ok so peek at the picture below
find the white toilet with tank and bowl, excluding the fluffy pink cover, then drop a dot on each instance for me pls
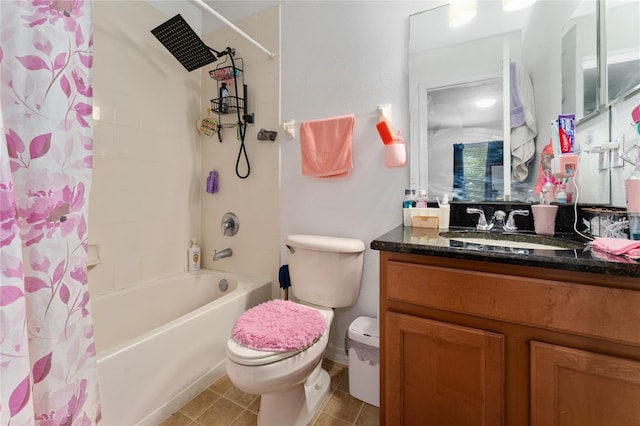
(326, 273)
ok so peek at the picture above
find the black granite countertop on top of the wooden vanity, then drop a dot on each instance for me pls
(429, 242)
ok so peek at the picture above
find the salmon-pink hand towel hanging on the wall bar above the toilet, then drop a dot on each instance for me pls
(325, 146)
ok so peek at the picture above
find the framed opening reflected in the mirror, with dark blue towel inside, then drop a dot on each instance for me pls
(465, 138)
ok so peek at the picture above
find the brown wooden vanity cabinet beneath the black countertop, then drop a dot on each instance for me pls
(479, 343)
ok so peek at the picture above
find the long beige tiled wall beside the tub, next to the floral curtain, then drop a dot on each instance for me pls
(145, 197)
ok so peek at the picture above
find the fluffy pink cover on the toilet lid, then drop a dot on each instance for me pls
(279, 325)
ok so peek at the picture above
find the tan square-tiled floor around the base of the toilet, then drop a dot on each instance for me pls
(221, 404)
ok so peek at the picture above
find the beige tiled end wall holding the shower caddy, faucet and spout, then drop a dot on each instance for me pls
(254, 199)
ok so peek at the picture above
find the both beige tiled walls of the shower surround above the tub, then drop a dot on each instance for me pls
(147, 198)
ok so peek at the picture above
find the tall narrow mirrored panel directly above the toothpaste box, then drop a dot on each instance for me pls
(580, 72)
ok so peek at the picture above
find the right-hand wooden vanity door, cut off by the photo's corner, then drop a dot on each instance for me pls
(573, 387)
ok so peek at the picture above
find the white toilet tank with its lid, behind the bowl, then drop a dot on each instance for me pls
(325, 271)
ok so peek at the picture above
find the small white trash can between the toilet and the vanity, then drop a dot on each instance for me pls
(363, 347)
